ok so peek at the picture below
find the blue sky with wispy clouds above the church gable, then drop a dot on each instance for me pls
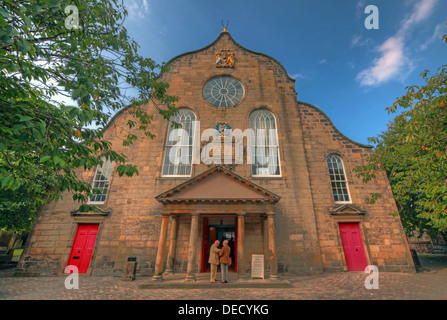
(349, 72)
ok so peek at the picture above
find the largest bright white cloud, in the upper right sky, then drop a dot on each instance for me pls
(393, 61)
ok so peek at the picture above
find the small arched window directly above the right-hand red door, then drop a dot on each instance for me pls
(338, 179)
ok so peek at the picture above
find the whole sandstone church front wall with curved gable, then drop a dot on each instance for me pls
(298, 234)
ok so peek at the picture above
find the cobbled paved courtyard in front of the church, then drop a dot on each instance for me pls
(339, 286)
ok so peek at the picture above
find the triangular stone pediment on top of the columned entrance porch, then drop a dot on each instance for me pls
(218, 185)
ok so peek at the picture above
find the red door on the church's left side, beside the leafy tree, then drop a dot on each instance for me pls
(83, 245)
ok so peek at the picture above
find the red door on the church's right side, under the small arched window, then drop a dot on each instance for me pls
(351, 239)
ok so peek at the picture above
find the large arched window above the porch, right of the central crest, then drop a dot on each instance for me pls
(264, 144)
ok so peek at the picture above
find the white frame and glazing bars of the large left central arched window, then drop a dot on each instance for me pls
(169, 143)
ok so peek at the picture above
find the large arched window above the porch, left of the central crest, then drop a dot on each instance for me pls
(179, 144)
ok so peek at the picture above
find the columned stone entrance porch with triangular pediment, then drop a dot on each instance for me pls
(217, 203)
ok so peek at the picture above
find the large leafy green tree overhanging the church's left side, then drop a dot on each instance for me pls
(78, 50)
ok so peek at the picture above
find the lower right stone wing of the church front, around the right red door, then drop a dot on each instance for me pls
(383, 235)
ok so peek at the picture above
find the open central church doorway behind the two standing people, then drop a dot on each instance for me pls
(219, 229)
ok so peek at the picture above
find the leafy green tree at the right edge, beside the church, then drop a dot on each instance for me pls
(412, 151)
